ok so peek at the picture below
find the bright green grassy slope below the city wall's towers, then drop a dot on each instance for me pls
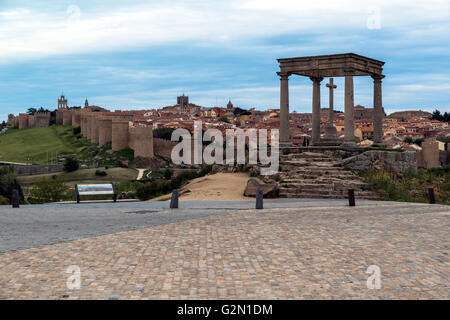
(34, 145)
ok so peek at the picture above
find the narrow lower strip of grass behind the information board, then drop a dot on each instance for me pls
(85, 176)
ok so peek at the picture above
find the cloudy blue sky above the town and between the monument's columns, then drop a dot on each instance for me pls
(143, 54)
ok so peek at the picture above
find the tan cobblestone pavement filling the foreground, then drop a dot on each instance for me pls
(289, 253)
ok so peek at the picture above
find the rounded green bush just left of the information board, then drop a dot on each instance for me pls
(49, 190)
